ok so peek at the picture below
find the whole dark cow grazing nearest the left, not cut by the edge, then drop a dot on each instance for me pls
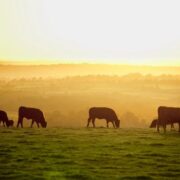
(31, 113)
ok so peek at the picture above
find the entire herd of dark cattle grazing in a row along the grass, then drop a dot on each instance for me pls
(166, 116)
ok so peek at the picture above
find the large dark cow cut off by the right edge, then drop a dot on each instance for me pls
(168, 115)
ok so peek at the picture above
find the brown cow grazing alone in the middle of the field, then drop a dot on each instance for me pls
(103, 113)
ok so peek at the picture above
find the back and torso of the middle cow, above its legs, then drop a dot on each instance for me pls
(102, 112)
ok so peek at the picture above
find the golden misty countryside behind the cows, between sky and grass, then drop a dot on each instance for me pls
(66, 92)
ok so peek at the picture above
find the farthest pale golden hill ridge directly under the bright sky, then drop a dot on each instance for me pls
(63, 70)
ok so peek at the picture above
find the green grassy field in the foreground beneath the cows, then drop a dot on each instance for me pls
(100, 153)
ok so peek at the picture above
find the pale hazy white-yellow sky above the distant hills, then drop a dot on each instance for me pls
(94, 31)
